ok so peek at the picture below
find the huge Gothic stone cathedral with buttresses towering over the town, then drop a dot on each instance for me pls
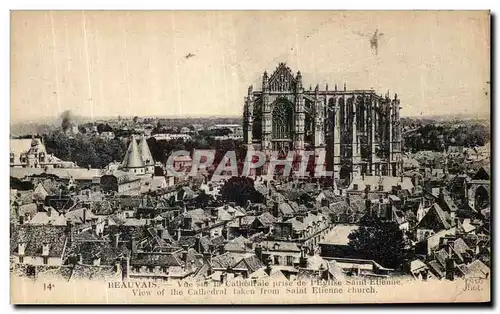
(359, 129)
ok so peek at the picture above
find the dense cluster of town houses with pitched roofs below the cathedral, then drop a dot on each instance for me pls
(131, 222)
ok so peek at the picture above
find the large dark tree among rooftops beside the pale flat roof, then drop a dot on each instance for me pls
(379, 240)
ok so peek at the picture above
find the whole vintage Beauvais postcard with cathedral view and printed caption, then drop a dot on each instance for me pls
(250, 157)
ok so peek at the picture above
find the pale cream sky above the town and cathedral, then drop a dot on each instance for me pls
(128, 63)
